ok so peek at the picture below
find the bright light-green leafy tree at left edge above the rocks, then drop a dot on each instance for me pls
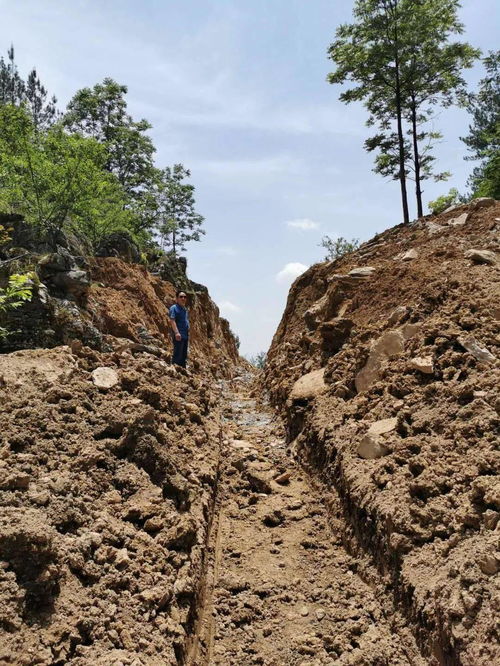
(55, 179)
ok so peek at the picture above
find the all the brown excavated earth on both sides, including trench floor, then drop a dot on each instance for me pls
(154, 516)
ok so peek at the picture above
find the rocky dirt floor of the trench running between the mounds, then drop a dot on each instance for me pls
(280, 588)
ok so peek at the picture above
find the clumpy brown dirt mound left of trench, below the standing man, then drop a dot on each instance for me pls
(106, 497)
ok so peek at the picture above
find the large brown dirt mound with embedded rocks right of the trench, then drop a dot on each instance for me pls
(403, 420)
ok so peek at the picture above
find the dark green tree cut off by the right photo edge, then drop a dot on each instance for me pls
(483, 140)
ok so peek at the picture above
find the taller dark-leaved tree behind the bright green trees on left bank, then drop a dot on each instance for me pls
(101, 113)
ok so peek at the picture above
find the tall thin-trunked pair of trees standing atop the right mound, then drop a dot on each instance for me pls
(398, 55)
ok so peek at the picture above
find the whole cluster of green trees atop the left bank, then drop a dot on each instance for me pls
(90, 169)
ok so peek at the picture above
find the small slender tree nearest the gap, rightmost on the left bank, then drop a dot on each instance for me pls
(178, 222)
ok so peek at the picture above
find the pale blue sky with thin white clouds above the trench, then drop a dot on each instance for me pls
(236, 91)
